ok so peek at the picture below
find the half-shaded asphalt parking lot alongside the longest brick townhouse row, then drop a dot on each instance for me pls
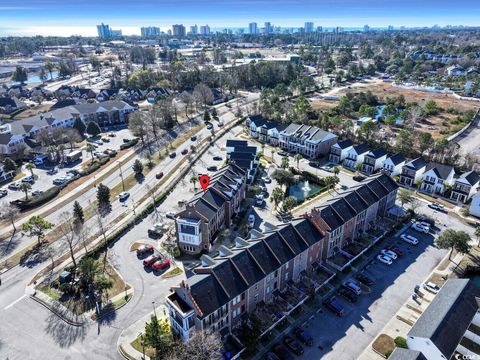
(345, 337)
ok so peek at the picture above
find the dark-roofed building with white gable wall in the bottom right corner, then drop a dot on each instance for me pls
(448, 328)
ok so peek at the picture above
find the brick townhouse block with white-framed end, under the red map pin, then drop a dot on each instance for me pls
(211, 211)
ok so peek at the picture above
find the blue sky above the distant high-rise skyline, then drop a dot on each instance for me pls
(66, 17)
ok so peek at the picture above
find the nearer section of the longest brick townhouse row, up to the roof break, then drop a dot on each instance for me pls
(226, 288)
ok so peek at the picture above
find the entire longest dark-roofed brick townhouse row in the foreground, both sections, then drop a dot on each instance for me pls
(224, 290)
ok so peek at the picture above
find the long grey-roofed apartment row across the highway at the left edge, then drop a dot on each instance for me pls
(13, 135)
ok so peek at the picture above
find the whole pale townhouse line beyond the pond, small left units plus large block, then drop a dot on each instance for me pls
(309, 141)
